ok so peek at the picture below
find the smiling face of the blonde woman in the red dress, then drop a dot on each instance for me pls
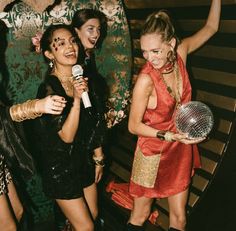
(155, 50)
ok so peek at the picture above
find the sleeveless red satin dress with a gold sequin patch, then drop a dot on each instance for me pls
(176, 162)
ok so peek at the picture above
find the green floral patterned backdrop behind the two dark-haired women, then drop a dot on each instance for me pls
(26, 68)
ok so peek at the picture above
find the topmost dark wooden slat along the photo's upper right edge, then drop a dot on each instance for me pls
(134, 4)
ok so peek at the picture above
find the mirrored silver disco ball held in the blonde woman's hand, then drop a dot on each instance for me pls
(194, 119)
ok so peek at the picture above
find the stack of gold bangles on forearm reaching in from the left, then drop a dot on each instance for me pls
(20, 112)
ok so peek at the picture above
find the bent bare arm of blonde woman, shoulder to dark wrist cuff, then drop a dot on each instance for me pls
(140, 102)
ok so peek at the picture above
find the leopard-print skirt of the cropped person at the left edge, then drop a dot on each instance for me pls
(5, 176)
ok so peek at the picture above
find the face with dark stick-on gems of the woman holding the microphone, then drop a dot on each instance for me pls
(64, 49)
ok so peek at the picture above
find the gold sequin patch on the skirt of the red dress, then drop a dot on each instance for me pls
(145, 169)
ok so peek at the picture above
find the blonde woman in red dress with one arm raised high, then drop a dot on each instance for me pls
(164, 159)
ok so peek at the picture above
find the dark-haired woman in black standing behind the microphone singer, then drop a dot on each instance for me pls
(91, 27)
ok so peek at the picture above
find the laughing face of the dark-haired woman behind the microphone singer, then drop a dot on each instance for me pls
(89, 33)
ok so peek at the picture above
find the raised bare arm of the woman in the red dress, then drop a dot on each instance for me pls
(211, 26)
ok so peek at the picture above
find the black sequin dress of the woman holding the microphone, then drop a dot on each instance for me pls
(67, 167)
